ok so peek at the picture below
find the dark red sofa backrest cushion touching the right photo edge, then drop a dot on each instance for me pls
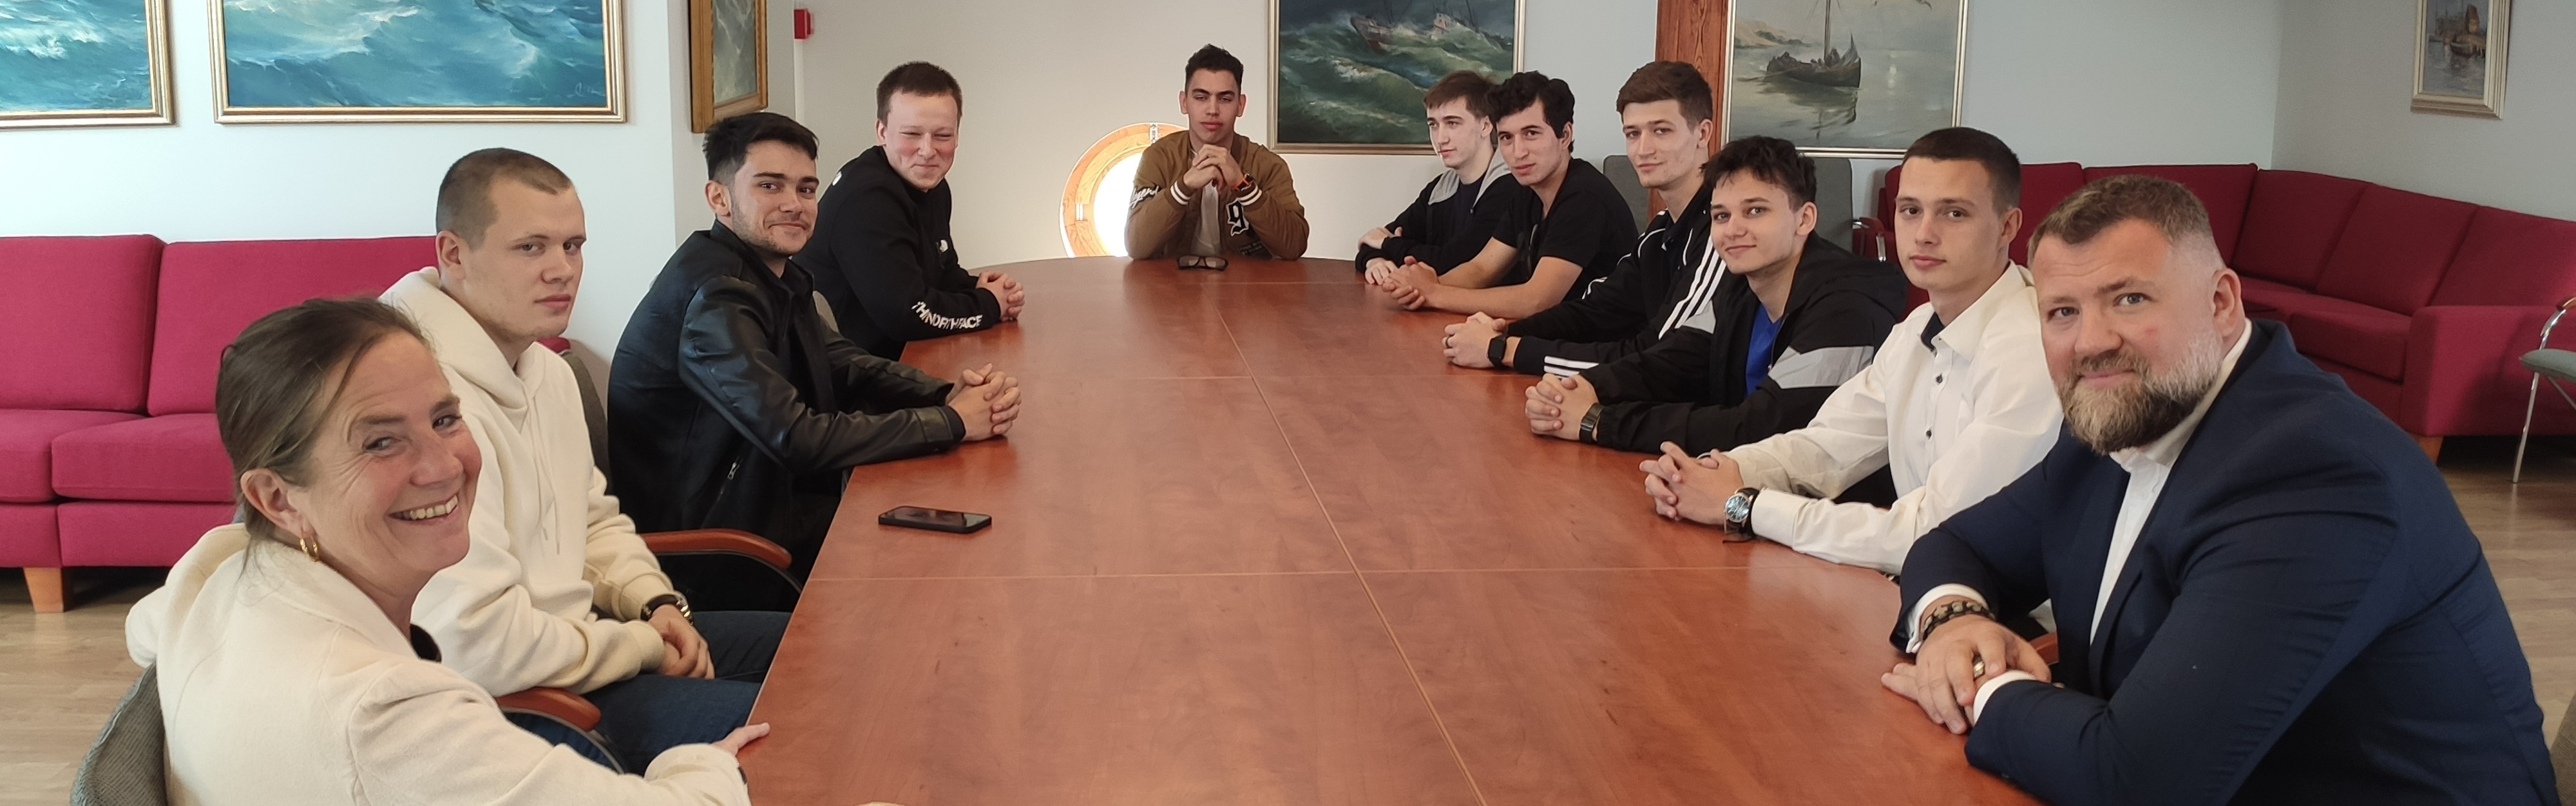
(2513, 259)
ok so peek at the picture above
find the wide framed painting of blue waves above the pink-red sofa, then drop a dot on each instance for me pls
(419, 61)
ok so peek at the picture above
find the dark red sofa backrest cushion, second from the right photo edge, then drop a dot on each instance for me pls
(2394, 248)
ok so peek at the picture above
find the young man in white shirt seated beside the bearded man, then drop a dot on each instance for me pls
(1956, 406)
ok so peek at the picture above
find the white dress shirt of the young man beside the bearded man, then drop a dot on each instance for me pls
(1954, 418)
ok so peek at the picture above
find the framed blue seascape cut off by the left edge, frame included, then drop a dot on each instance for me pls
(84, 63)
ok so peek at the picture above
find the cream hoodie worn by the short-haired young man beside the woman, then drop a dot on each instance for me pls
(550, 550)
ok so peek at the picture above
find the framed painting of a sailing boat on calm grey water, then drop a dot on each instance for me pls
(1846, 79)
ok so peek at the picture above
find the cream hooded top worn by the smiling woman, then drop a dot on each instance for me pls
(282, 684)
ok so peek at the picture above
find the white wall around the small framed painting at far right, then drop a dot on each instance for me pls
(2348, 71)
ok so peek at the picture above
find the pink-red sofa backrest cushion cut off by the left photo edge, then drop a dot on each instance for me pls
(76, 315)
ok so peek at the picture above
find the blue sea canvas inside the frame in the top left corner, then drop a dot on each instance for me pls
(76, 55)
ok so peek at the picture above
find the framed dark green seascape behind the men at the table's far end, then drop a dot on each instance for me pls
(1351, 73)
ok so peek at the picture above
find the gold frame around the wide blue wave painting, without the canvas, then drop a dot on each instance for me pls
(609, 112)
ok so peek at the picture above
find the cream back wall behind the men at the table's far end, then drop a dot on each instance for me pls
(1045, 81)
